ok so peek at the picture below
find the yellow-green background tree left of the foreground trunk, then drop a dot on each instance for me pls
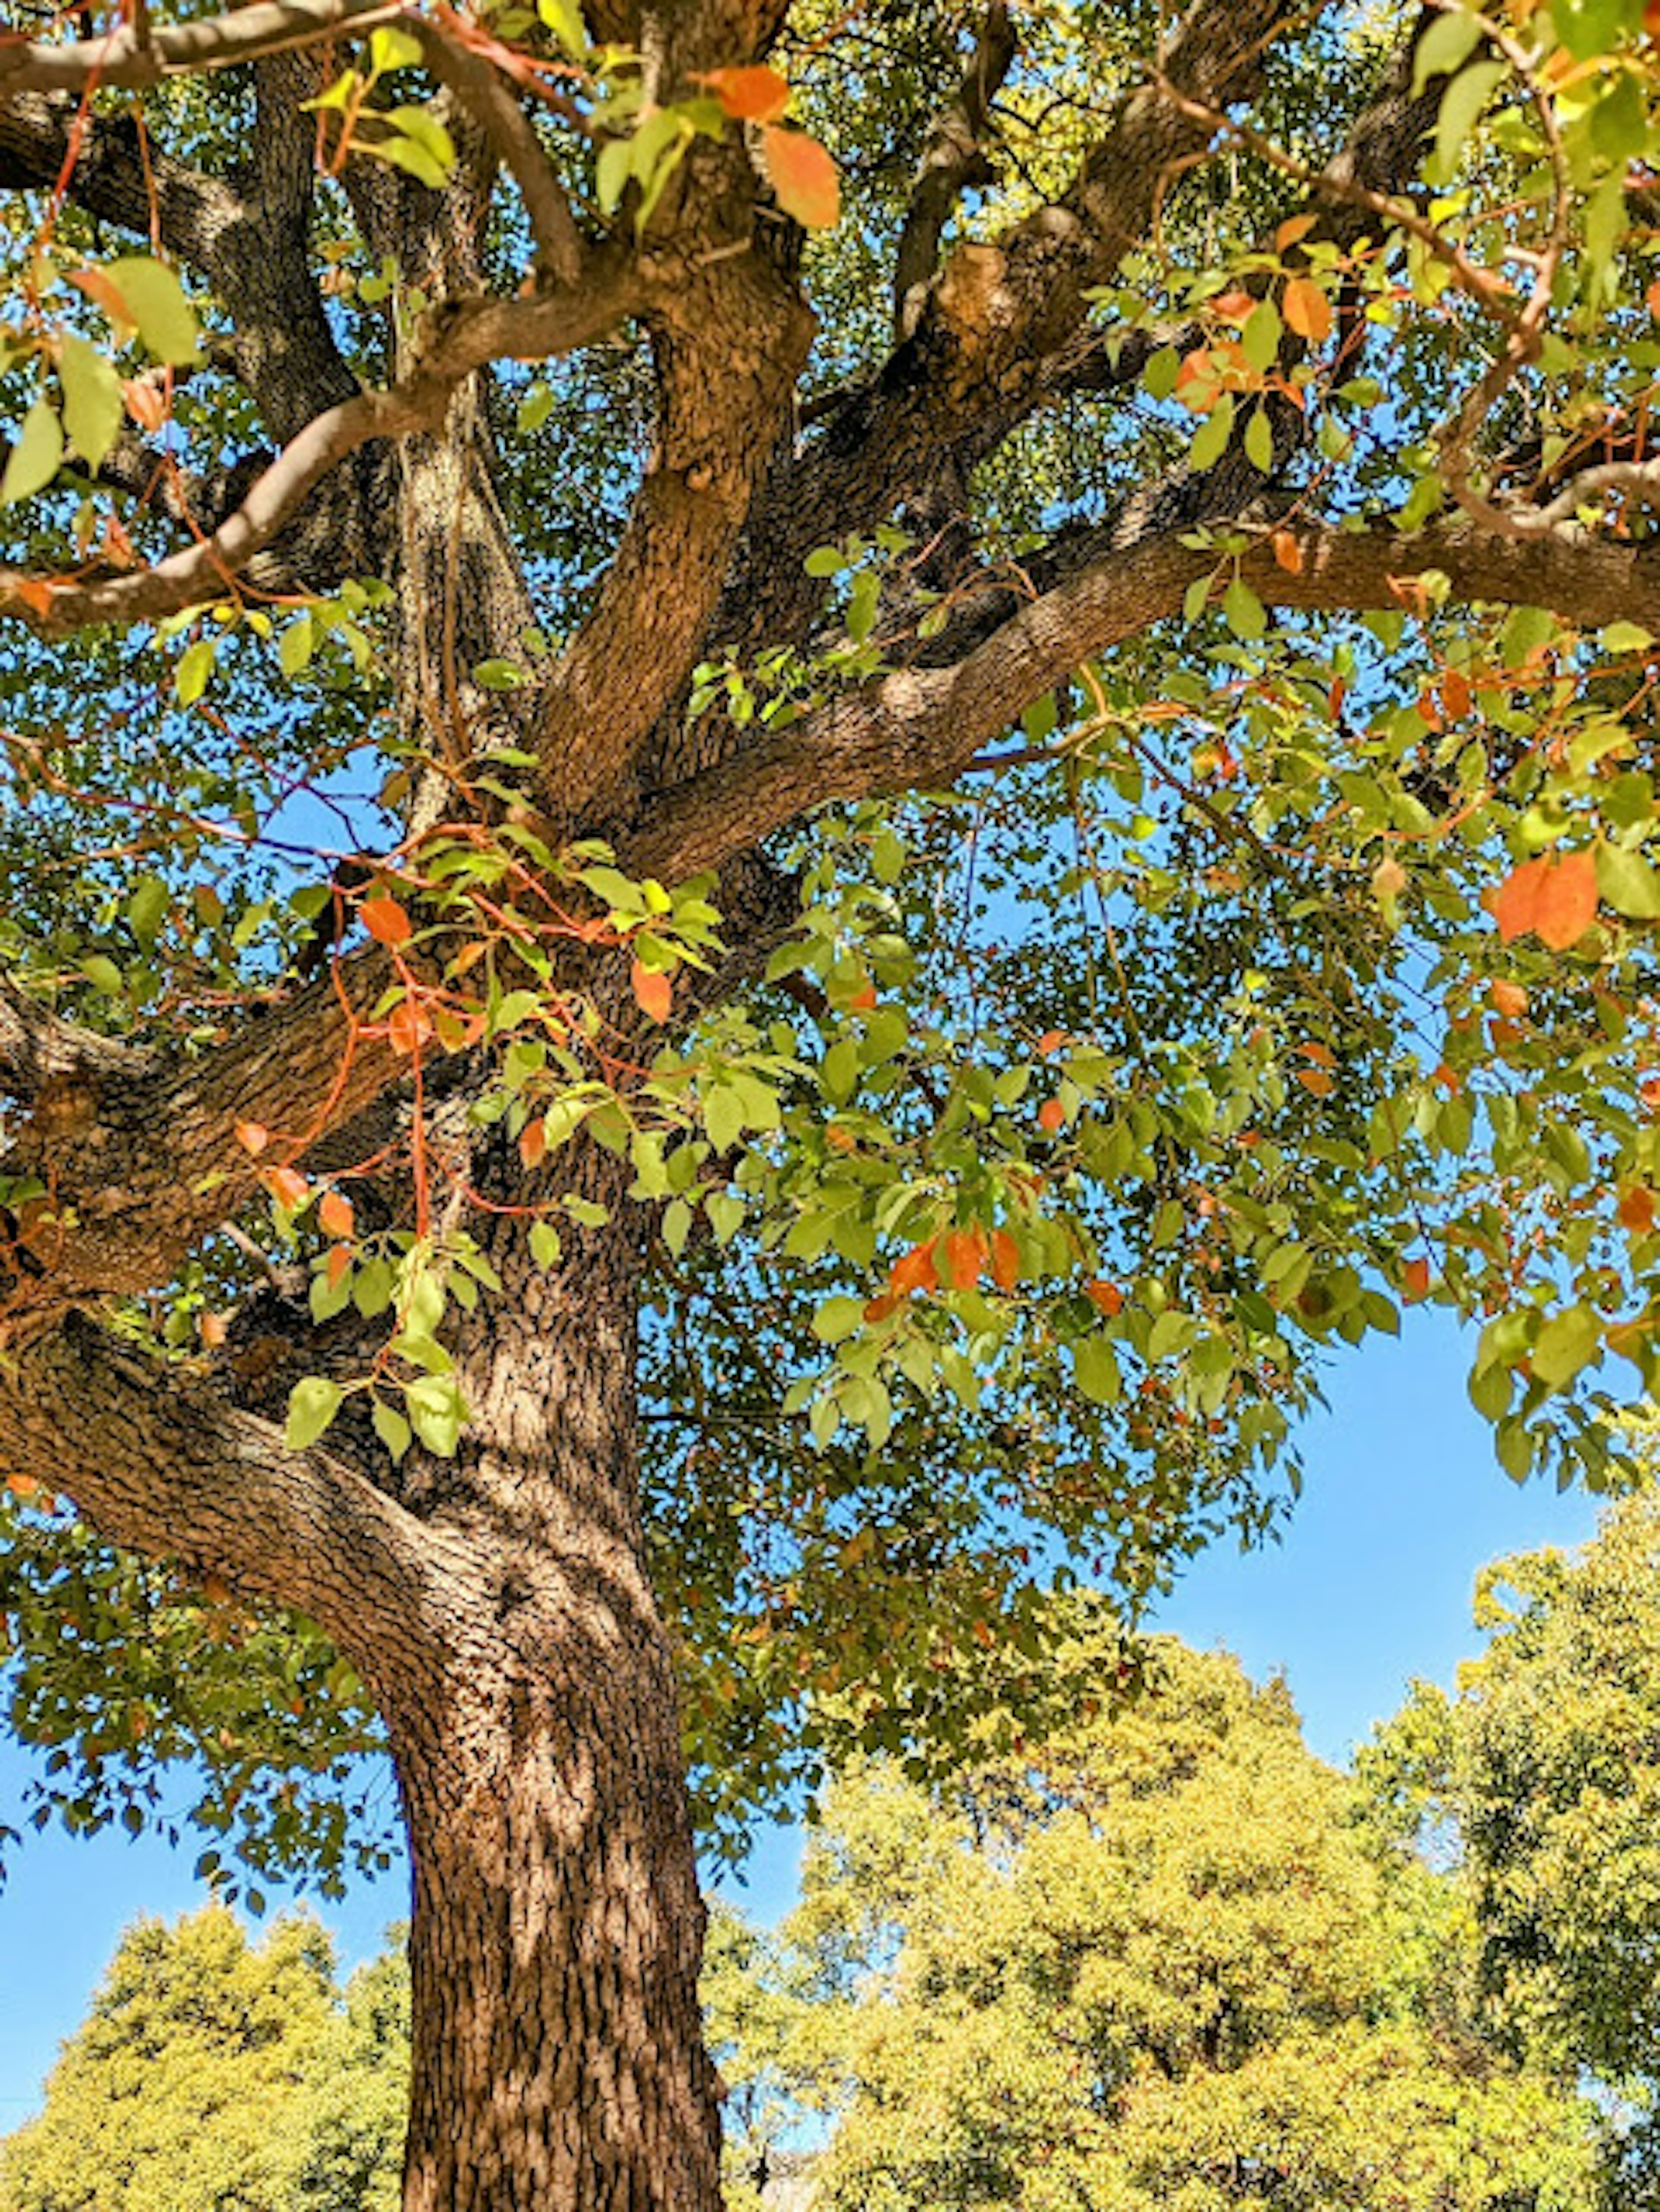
(220, 2078)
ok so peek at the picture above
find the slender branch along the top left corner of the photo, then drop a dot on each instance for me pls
(143, 54)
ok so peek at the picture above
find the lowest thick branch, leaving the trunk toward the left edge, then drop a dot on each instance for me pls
(165, 1468)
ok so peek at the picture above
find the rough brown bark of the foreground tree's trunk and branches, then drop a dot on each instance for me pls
(499, 1605)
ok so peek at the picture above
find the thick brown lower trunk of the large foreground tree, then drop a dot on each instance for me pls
(559, 2056)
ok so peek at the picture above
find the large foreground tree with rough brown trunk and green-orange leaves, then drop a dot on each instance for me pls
(528, 924)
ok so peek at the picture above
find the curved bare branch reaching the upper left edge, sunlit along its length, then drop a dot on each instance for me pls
(464, 337)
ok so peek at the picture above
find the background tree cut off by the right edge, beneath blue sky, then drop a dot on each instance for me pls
(1542, 1771)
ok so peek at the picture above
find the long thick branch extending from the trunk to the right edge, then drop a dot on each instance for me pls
(922, 729)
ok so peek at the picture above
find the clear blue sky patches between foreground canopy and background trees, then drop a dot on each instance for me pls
(1369, 1589)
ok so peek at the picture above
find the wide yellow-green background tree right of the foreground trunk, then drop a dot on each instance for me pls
(1156, 1965)
